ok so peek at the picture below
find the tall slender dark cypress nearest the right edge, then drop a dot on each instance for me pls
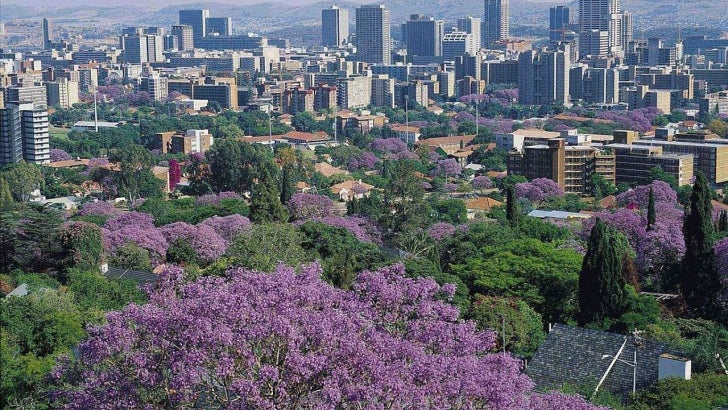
(699, 278)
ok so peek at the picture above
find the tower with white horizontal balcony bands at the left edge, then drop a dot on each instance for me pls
(24, 134)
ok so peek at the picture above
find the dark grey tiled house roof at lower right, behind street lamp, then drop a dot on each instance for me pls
(573, 355)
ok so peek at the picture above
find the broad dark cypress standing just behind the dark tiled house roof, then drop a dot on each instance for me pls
(601, 281)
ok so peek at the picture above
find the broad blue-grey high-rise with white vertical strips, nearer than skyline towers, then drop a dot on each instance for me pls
(543, 76)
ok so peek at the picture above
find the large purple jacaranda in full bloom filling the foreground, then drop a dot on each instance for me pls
(289, 340)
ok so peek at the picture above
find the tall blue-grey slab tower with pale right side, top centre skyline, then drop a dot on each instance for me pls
(373, 37)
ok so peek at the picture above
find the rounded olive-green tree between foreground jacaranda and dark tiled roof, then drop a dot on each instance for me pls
(519, 327)
